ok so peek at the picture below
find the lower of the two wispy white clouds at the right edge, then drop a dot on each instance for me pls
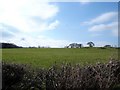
(102, 27)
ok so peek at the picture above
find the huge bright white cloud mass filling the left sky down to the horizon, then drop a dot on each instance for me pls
(28, 17)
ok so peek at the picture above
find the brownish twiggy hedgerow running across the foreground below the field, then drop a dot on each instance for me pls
(63, 77)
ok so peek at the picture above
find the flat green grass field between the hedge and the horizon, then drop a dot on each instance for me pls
(45, 57)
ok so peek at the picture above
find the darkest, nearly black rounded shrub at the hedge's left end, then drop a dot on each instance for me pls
(11, 75)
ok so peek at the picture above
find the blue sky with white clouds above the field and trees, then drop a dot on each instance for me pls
(57, 24)
